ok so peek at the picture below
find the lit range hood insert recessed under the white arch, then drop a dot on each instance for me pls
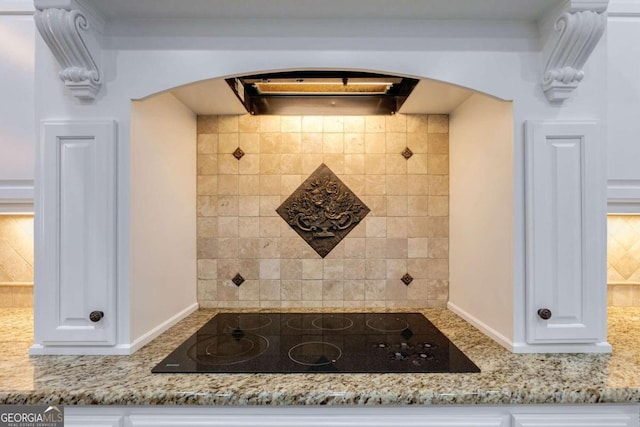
(322, 92)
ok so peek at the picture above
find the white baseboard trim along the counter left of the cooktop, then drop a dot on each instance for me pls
(117, 350)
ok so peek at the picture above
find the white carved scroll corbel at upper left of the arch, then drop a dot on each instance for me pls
(63, 28)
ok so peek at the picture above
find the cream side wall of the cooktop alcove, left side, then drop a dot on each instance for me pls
(163, 212)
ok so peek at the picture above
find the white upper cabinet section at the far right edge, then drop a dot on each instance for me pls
(623, 104)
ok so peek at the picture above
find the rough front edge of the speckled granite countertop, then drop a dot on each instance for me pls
(283, 398)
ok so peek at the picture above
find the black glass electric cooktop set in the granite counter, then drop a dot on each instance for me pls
(316, 342)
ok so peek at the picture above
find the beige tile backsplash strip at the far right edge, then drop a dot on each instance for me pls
(623, 260)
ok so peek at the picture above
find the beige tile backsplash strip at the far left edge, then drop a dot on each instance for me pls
(16, 261)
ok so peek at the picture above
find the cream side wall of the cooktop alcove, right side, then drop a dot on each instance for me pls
(482, 215)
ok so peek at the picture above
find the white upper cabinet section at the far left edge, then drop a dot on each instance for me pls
(17, 116)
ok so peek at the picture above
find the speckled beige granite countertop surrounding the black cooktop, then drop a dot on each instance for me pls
(506, 378)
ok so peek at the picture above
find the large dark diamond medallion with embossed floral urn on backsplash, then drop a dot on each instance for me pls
(323, 210)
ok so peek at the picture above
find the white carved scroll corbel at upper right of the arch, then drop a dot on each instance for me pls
(572, 33)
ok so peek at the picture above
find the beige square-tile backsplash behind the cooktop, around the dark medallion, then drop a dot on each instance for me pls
(407, 229)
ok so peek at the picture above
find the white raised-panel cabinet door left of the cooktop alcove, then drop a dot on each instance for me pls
(75, 234)
